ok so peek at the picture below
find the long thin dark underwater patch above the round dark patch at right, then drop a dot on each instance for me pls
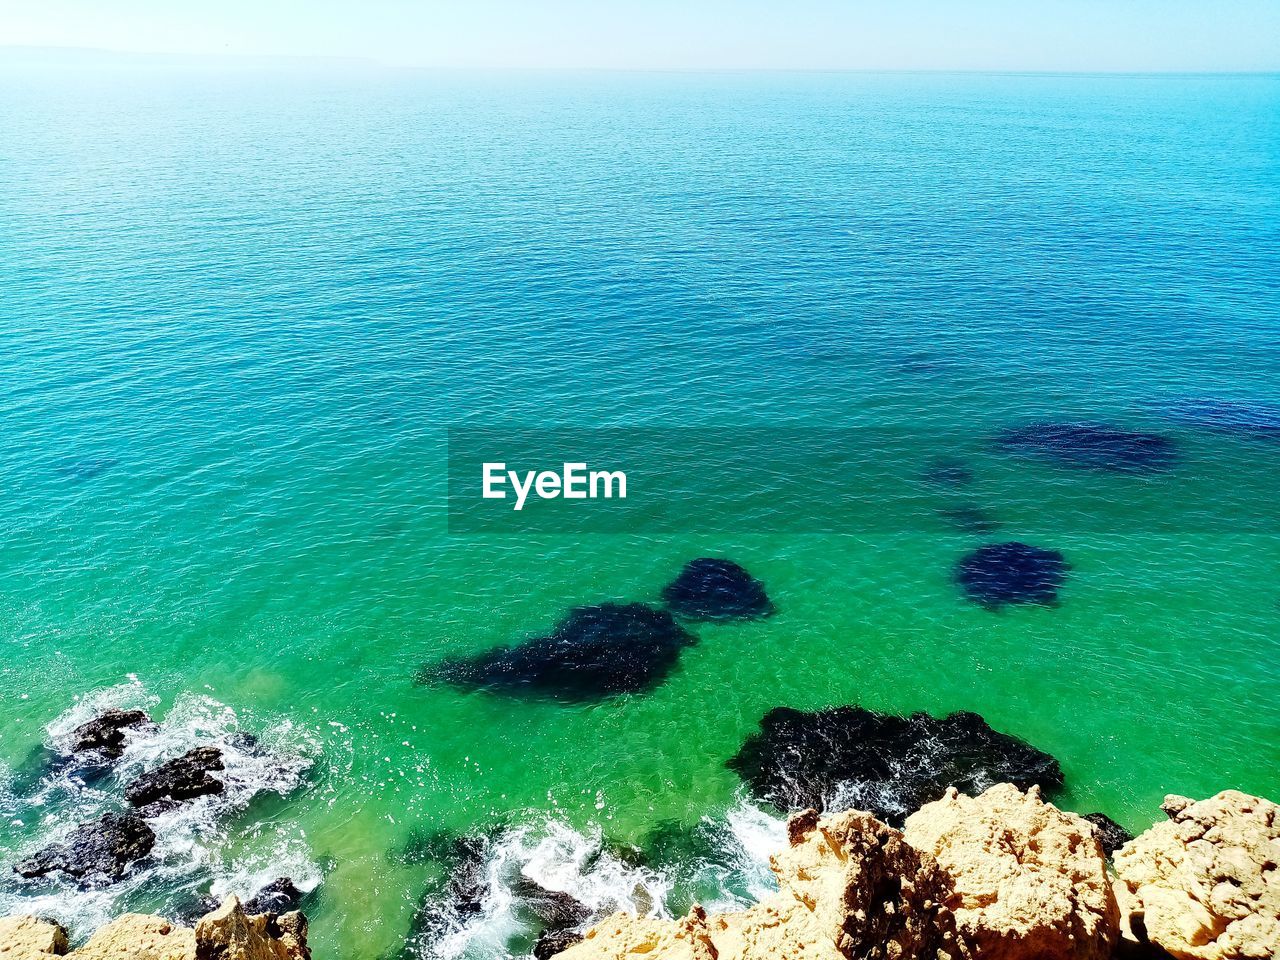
(1095, 446)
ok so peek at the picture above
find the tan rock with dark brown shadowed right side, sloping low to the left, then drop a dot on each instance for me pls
(849, 888)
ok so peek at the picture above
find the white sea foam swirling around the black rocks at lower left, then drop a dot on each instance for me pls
(199, 845)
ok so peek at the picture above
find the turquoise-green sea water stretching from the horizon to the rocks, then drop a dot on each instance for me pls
(239, 313)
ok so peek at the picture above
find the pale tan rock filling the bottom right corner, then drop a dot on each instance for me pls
(1205, 884)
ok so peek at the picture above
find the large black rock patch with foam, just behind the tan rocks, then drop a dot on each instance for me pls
(883, 764)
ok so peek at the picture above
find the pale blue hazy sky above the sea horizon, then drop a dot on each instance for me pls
(1039, 35)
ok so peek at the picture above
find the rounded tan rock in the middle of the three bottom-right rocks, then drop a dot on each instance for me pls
(1031, 881)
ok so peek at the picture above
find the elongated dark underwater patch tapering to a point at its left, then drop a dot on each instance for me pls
(596, 652)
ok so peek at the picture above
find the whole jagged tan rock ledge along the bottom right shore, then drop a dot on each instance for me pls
(1004, 876)
